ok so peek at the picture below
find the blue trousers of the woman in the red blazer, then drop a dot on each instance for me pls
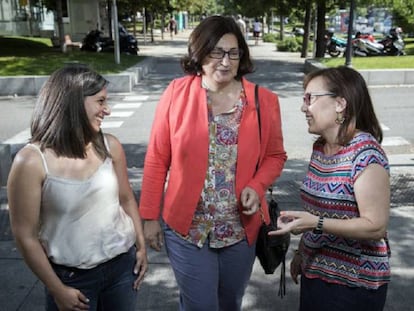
(209, 279)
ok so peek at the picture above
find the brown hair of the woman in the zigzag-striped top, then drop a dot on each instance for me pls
(359, 113)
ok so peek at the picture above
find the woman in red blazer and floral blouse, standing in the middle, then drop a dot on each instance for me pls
(205, 138)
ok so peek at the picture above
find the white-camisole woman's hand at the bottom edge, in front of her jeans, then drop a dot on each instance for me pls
(70, 299)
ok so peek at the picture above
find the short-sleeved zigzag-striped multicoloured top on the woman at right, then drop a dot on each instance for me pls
(328, 191)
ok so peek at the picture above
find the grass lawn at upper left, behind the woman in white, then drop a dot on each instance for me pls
(36, 56)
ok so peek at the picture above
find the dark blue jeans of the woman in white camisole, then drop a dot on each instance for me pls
(109, 286)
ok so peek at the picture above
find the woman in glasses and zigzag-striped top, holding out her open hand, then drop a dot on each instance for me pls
(343, 254)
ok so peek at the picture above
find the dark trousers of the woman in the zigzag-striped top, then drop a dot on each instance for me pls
(316, 294)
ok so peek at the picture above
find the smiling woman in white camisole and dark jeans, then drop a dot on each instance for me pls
(72, 211)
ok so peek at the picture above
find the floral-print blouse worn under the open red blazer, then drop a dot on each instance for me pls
(217, 217)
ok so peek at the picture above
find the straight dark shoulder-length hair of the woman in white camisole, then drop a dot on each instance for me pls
(59, 119)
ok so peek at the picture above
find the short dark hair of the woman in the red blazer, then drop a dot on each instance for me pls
(204, 38)
